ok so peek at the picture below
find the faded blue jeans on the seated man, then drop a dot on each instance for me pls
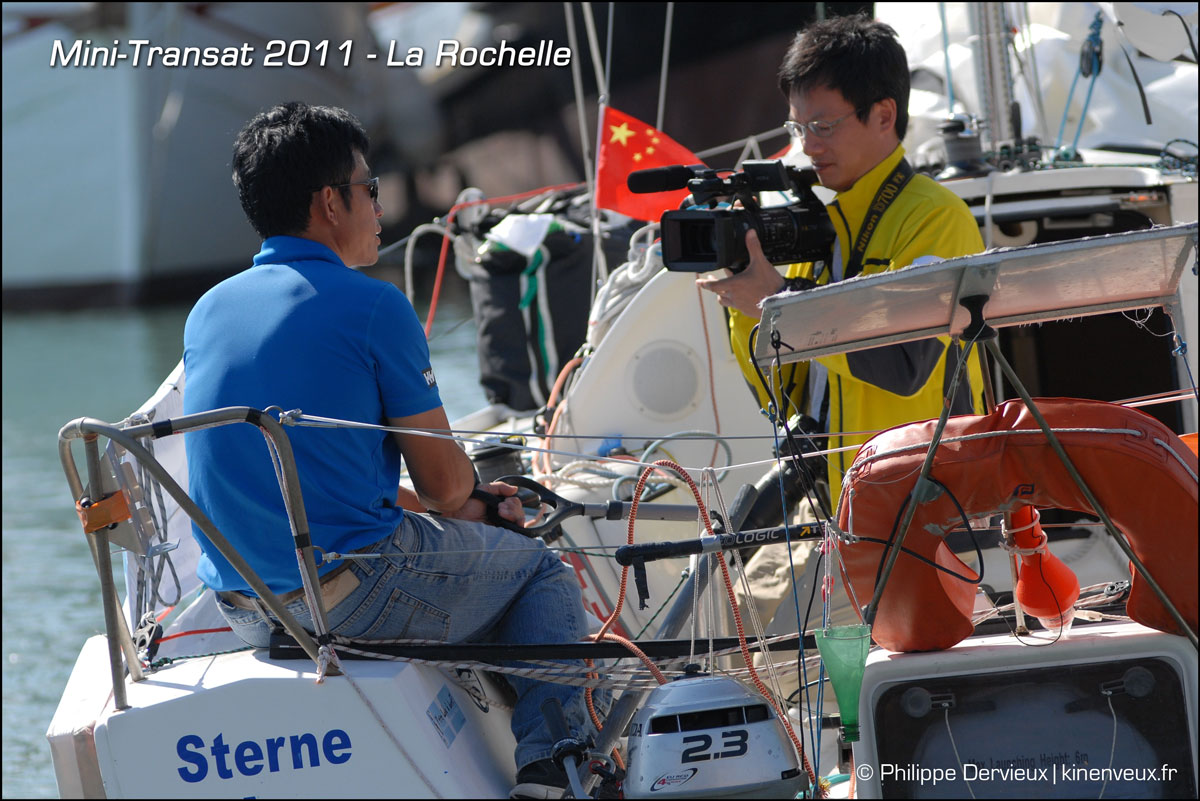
(459, 582)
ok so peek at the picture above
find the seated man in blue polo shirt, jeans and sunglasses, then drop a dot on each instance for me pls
(303, 330)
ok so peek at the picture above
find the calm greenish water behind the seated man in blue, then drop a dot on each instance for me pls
(58, 368)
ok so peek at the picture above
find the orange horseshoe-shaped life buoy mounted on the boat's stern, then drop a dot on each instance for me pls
(1141, 472)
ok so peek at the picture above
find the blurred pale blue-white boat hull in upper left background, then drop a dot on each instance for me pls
(141, 155)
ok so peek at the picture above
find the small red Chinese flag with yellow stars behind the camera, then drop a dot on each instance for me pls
(627, 146)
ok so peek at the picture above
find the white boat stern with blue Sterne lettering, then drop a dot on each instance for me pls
(242, 726)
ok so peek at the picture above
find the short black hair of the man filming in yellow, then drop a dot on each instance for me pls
(857, 56)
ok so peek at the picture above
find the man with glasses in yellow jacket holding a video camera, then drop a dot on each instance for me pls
(847, 82)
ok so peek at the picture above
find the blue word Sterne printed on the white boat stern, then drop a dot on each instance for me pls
(249, 755)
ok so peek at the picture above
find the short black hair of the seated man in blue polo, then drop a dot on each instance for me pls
(286, 154)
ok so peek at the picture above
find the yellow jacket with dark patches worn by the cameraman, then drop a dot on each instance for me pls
(872, 390)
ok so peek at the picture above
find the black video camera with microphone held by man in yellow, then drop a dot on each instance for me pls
(700, 240)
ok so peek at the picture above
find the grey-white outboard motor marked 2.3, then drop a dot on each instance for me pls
(710, 738)
